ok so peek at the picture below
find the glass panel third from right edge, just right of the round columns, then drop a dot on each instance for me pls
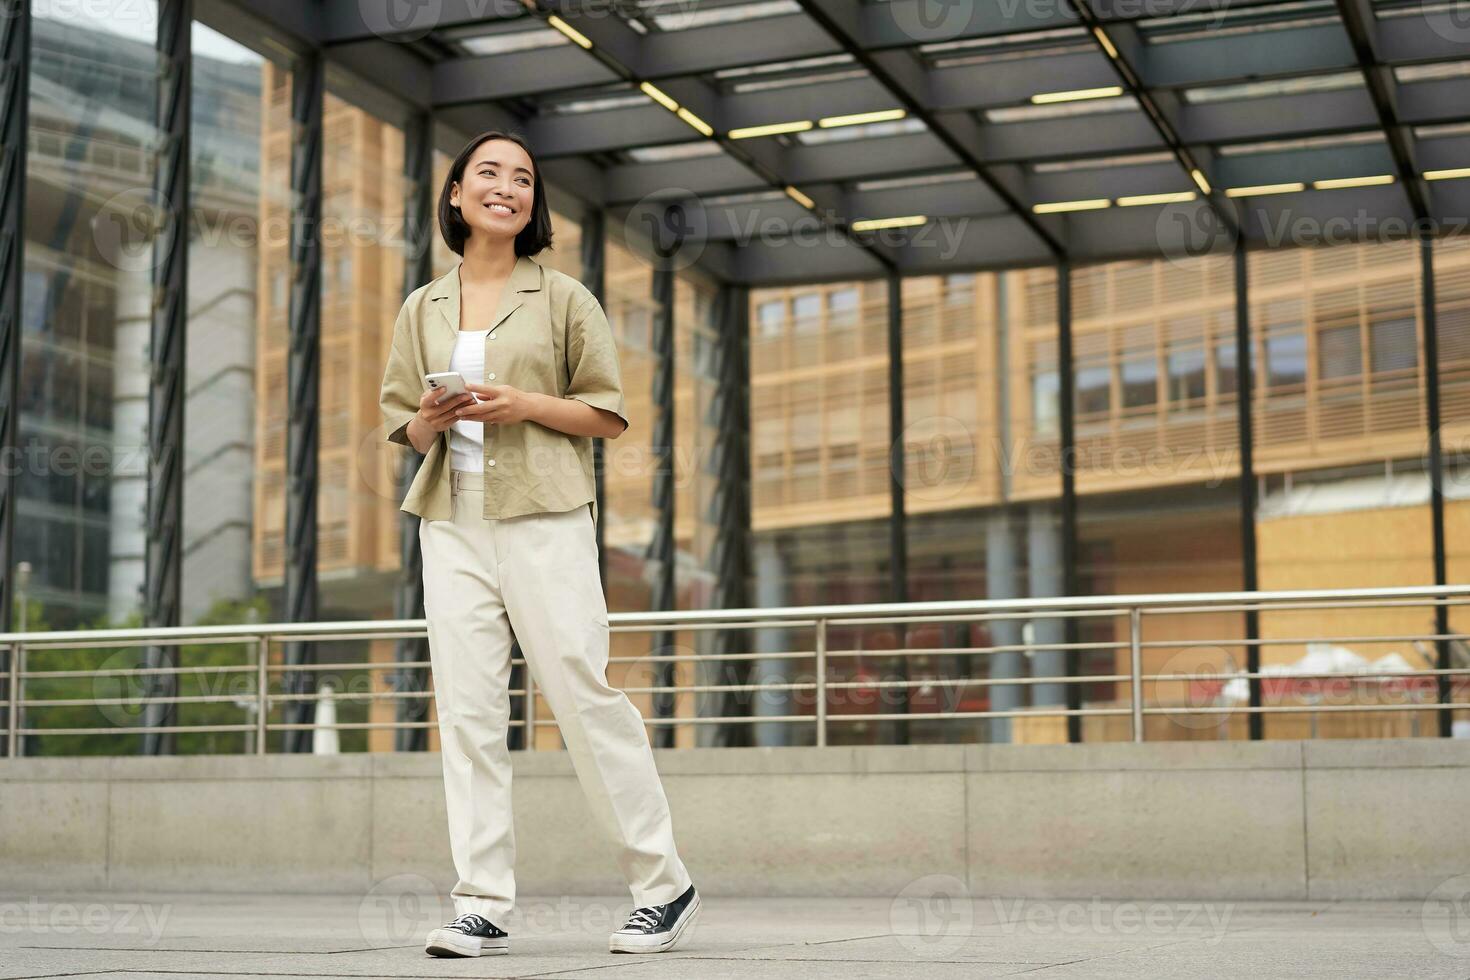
(1158, 491)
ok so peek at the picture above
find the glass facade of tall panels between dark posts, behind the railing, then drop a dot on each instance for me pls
(1337, 412)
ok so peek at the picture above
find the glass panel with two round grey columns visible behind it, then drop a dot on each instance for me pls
(981, 412)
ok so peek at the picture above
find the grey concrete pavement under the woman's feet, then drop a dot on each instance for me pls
(930, 931)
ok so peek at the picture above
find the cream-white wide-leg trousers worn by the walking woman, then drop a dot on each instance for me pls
(533, 578)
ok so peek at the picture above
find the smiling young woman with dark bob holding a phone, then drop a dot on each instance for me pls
(506, 508)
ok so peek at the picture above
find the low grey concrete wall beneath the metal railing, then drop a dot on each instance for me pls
(1188, 821)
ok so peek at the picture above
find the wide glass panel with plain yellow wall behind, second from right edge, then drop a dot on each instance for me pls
(1344, 499)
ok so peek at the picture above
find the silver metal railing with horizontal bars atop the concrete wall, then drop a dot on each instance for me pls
(824, 622)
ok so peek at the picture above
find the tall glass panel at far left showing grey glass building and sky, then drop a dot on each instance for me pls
(89, 302)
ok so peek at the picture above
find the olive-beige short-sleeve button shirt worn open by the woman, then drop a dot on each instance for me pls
(549, 336)
